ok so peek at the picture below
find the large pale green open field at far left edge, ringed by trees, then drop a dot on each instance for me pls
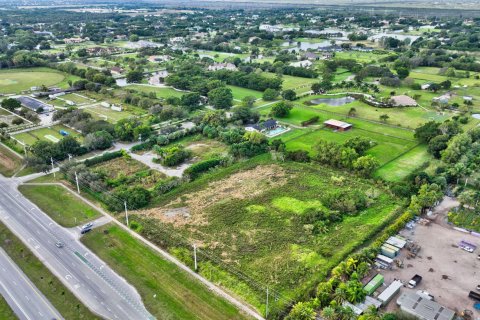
(16, 80)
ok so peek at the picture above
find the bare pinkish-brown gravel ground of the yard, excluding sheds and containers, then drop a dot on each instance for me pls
(439, 257)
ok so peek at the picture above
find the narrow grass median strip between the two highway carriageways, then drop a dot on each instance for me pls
(60, 297)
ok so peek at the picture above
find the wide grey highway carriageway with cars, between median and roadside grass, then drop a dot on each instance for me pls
(94, 283)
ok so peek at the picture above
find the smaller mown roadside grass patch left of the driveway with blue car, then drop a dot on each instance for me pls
(60, 204)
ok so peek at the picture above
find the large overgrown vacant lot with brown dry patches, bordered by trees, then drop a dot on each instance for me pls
(250, 218)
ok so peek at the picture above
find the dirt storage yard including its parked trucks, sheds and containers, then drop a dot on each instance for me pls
(436, 252)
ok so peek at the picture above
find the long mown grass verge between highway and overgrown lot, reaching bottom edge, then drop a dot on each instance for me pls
(167, 292)
